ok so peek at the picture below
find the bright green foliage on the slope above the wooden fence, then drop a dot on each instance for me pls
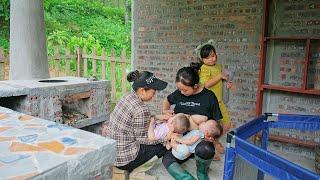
(77, 23)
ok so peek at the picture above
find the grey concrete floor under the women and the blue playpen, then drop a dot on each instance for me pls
(216, 167)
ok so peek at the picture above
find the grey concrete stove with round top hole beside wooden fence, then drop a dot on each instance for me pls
(68, 100)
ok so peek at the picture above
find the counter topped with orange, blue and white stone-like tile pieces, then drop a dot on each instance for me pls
(33, 147)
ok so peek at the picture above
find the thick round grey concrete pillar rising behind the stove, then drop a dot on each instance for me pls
(28, 51)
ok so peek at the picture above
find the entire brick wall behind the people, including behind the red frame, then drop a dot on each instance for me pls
(165, 34)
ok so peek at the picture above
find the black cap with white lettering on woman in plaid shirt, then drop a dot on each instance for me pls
(149, 81)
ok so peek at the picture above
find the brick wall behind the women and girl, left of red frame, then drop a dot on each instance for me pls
(165, 34)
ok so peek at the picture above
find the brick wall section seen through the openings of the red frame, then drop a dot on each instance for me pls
(286, 57)
